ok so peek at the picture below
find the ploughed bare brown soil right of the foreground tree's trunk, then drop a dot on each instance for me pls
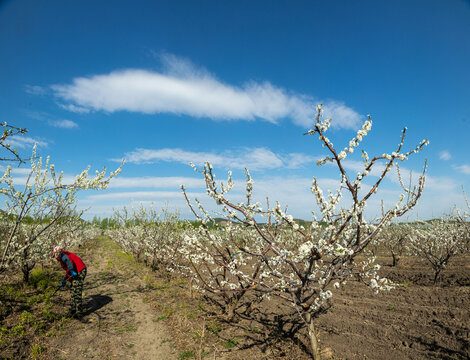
(418, 320)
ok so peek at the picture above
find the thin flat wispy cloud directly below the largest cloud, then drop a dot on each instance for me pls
(250, 158)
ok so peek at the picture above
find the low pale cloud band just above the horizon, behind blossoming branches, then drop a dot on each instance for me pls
(293, 191)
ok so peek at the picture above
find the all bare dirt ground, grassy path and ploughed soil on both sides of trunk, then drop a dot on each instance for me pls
(132, 313)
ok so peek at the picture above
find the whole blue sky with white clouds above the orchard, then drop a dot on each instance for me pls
(163, 83)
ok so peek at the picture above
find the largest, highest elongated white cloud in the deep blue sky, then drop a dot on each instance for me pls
(181, 88)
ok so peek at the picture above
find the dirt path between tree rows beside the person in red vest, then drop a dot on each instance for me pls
(118, 323)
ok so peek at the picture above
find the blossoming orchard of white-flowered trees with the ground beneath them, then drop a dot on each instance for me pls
(251, 283)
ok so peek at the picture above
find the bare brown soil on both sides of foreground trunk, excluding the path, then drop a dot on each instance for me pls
(417, 320)
